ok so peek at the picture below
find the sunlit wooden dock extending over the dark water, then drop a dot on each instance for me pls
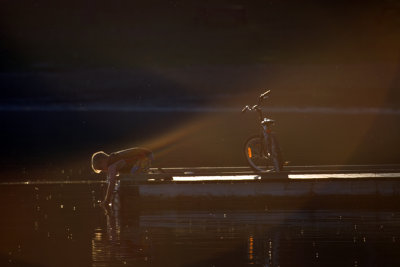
(294, 182)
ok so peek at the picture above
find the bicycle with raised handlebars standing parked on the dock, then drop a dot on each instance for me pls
(262, 150)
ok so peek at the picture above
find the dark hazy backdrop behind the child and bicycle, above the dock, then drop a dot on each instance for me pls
(77, 77)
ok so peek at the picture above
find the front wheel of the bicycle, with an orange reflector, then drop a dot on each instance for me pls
(255, 154)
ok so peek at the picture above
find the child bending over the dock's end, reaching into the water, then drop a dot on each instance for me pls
(133, 160)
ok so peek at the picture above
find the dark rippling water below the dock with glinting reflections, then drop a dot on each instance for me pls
(61, 225)
